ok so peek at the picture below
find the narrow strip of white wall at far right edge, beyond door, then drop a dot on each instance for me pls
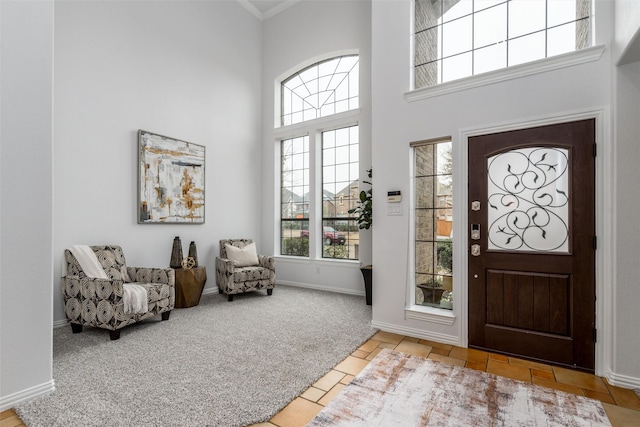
(626, 363)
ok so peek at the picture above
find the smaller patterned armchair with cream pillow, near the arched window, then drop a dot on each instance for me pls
(235, 278)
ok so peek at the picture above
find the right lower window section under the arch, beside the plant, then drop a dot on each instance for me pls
(340, 190)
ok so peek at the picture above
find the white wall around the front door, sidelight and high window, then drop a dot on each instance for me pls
(397, 122)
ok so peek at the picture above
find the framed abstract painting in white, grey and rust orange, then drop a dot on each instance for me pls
(170, 180)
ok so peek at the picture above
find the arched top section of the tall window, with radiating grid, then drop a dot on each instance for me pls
(324, 88)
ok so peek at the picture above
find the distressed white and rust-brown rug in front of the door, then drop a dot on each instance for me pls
(398, 389)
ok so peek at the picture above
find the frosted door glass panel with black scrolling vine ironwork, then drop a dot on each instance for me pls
(528, 200)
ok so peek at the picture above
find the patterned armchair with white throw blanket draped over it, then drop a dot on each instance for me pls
(99, 302)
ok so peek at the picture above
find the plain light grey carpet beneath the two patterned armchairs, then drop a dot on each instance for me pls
(217, 364)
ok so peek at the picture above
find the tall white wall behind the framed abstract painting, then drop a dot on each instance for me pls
(186, 69)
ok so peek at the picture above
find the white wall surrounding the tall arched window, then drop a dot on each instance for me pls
(305, 31)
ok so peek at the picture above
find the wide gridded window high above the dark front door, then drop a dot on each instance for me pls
(460, 38)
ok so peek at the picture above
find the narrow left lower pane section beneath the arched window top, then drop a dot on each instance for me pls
(294, 196)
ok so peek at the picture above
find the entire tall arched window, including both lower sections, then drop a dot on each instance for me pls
(319, 171)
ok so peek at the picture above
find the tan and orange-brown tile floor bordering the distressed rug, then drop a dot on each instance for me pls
(622, 405)
